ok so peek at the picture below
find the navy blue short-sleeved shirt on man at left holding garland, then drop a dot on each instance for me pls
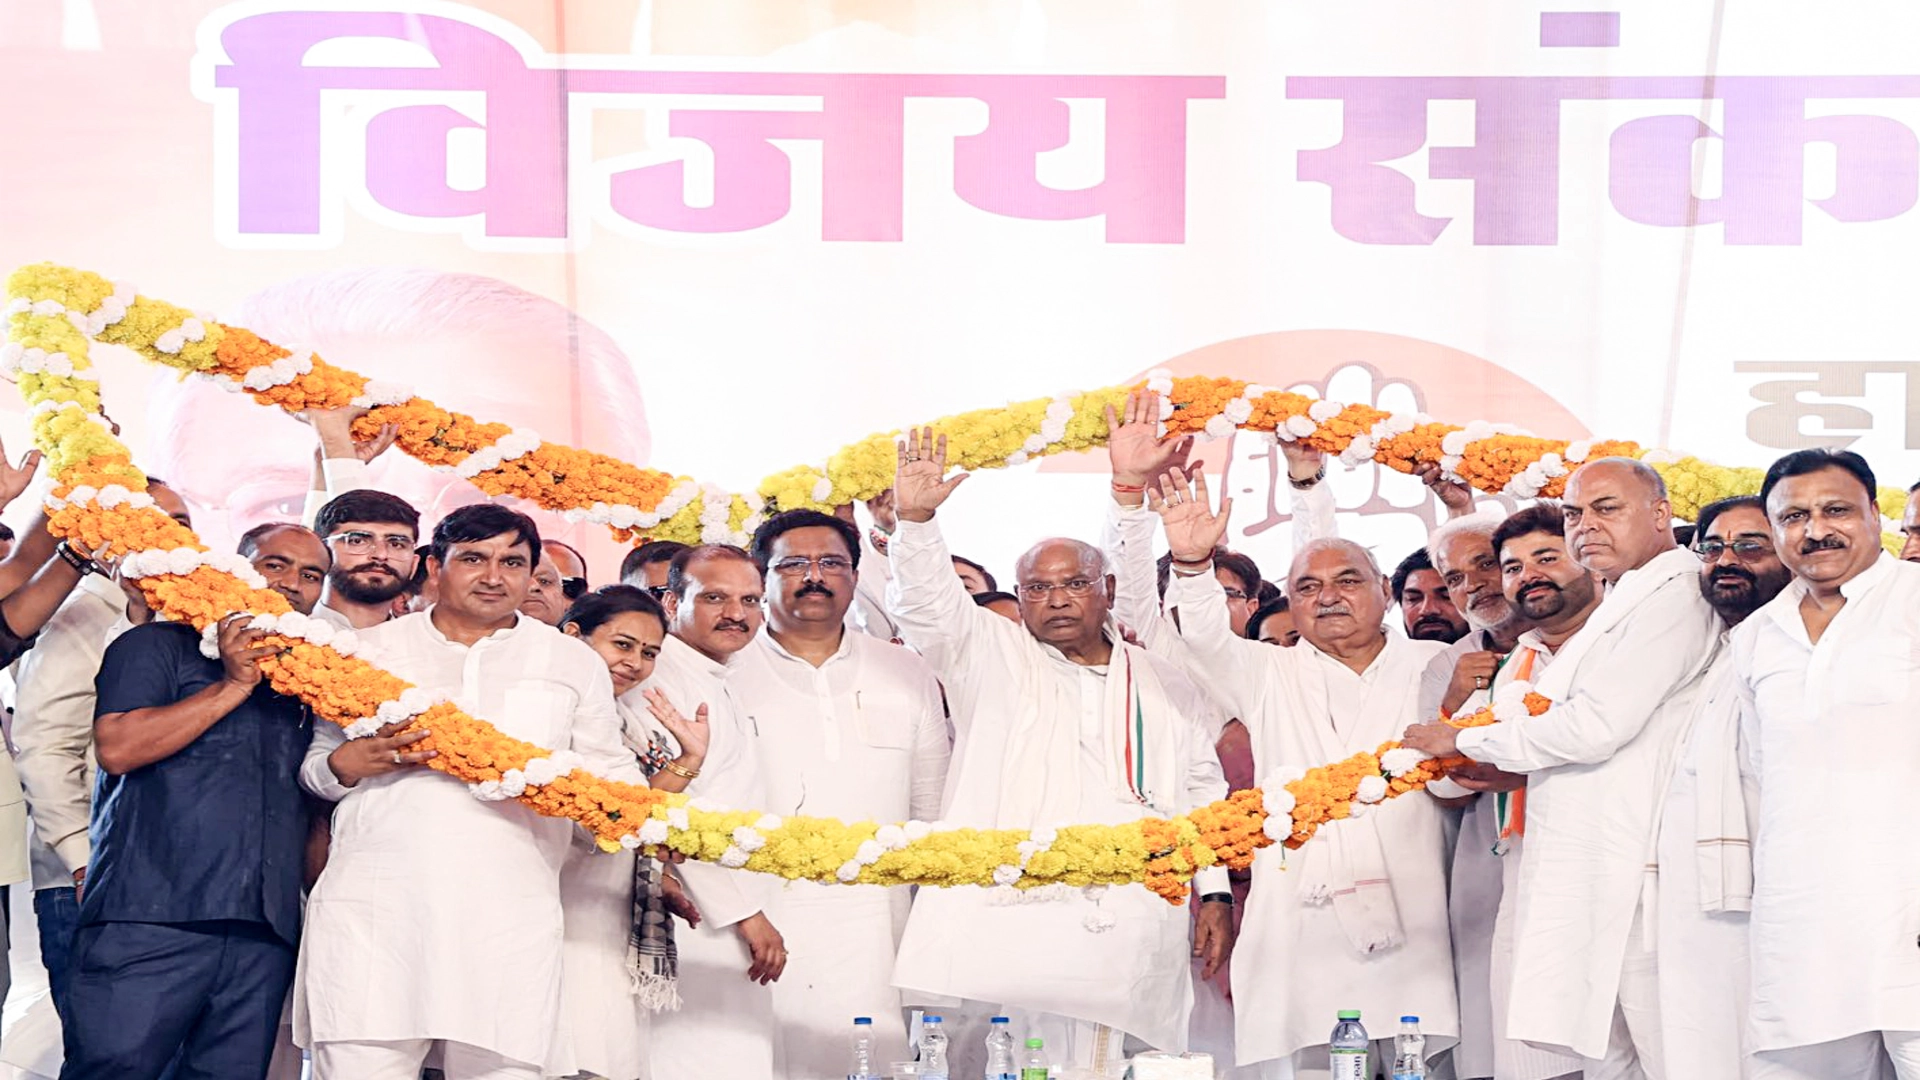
(218, 831)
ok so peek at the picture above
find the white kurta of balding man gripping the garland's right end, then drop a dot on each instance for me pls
(1598, 768)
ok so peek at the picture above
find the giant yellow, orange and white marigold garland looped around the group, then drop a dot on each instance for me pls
(101, 501)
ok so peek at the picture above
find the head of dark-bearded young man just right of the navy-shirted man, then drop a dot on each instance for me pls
(372, 537)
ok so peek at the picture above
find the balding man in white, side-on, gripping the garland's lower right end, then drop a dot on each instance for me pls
(1623, 693)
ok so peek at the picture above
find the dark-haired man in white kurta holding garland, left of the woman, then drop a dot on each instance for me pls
(418, 948)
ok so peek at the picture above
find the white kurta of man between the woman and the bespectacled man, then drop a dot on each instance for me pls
(725, 1027)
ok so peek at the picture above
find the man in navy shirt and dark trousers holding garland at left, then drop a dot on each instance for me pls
(191, 910)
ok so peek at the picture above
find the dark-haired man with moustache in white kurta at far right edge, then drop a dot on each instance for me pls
(1827, 681)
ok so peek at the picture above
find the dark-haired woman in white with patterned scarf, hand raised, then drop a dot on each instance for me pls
(608, 993)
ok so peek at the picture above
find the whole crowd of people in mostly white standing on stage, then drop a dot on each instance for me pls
(1689, 866)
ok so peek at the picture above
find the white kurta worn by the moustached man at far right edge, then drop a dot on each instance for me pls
(1835, 741)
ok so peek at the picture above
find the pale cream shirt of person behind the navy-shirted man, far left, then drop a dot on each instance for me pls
(55, 725)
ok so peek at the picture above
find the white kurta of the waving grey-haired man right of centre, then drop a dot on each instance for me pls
(1307, 708)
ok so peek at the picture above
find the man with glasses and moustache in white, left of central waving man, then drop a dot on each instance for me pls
(846, 727)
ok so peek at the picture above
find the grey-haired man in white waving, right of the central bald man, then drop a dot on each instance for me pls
(1360, 916)
